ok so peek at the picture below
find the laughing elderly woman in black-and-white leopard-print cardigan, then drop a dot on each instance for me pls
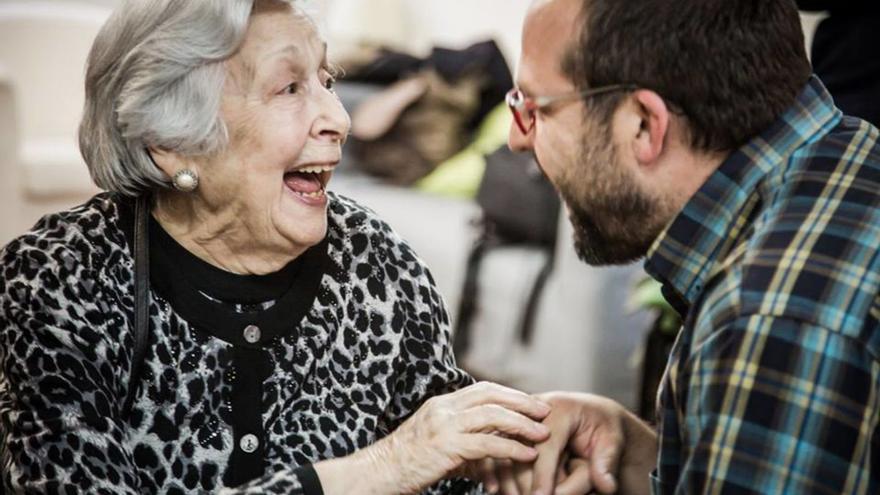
(217, 319)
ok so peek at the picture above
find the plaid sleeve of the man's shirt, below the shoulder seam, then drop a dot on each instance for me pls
(777, 405)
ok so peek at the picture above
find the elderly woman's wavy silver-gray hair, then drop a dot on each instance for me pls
(154, 79)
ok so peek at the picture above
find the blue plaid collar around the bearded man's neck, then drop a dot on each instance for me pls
(683, 255)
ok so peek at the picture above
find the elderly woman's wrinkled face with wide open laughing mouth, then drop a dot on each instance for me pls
(286, 127)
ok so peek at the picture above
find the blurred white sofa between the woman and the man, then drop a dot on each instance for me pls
(584, 333)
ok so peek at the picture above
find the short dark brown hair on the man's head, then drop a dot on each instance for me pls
(731, 66)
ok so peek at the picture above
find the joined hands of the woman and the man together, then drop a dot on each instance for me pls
(515, 443)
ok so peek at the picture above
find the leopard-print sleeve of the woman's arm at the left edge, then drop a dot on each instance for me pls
(59, 384)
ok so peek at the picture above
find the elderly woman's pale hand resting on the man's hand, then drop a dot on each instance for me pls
(484, 420)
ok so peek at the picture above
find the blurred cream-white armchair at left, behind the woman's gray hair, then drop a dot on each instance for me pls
(43, 49)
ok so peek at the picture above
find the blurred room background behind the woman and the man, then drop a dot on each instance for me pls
(424, 83)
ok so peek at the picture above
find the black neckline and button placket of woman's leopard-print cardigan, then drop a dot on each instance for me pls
(223, 303)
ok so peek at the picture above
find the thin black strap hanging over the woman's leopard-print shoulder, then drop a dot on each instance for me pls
(141, 298)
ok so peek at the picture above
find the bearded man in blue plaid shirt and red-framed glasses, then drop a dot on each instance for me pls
(693, 133)
